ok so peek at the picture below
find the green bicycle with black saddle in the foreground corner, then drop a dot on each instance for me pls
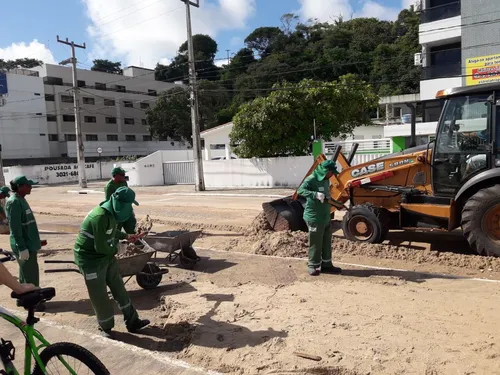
(54, 358)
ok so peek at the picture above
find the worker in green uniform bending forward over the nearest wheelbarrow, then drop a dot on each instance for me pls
(95, 250)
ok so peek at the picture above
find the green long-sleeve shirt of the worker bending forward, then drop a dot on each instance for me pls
(98, 238)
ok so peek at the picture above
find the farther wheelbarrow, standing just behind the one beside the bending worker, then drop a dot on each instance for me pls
(178, 245)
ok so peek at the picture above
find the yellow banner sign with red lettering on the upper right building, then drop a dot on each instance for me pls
(482, 69)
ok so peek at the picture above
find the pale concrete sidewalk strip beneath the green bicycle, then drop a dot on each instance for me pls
(118, 357)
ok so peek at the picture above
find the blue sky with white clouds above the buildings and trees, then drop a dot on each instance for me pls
(144, 32)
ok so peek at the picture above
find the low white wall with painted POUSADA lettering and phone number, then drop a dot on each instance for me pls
(58, 173)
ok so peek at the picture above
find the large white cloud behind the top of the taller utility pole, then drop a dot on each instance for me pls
(151, 31)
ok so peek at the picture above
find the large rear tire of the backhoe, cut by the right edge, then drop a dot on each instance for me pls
(481, 221)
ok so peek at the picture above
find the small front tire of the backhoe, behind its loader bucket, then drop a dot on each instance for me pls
(366, 223)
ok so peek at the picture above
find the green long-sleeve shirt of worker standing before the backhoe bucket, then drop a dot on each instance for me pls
(315, 211)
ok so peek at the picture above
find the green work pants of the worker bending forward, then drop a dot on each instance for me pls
(97, 278)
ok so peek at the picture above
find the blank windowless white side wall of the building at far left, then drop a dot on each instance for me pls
(23, 133)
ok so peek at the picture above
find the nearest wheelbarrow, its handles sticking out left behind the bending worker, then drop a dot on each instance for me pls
(147, 274)
